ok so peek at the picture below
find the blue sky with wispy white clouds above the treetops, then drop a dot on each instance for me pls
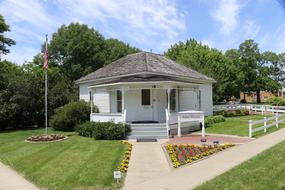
(155, 25)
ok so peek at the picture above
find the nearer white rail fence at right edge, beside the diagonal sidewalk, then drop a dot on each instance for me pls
(266, 123)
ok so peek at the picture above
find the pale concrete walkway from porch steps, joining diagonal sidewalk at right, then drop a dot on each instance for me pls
(190, 176)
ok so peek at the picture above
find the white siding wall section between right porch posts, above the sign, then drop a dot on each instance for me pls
(187, 100)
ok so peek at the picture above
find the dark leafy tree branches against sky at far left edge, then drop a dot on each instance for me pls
(4, 41)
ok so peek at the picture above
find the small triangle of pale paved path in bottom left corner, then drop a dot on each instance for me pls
(10, 180)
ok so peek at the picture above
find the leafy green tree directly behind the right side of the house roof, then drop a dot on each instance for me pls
(210, 62)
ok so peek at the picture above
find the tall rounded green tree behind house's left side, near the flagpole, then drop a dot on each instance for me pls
(77, 50)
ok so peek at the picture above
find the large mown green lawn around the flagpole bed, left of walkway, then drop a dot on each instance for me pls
(76, 163)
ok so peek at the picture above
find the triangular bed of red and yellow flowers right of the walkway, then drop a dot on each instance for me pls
(187, 153)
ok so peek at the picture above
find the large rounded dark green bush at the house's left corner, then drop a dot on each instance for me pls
(68, 116)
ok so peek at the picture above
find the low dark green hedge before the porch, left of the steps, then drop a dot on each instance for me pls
(102, 130)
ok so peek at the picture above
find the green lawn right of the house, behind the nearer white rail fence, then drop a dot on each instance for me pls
(239, 126)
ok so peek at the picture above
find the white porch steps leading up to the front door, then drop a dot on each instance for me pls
(148, 131)
